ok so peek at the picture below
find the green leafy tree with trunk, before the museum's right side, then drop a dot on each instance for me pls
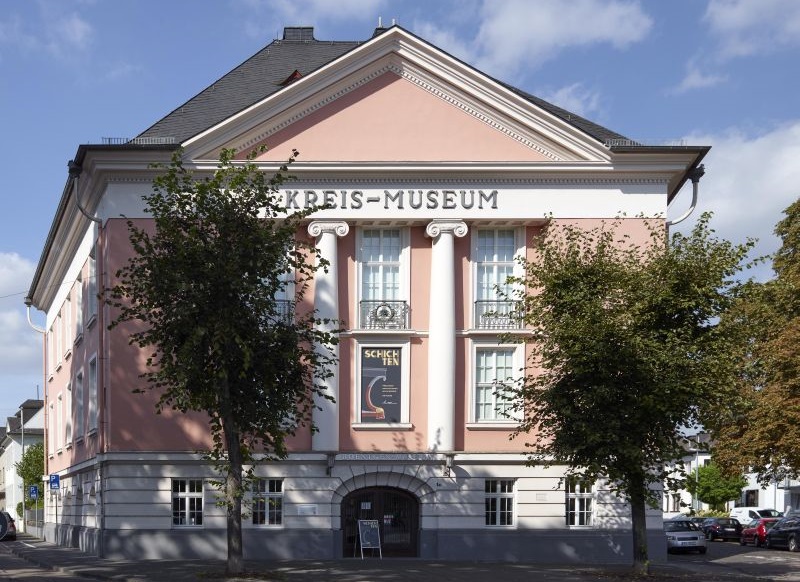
(625, 352)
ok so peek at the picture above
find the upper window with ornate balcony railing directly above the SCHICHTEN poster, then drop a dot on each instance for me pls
(383, 298)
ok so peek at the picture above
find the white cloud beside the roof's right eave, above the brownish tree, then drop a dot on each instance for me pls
(749, 182)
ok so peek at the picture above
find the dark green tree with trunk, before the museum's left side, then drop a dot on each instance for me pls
(201, 288)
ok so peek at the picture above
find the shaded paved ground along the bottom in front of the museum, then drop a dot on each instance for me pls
(70, 560)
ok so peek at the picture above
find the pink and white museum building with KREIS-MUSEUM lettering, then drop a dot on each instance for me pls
(438, 178)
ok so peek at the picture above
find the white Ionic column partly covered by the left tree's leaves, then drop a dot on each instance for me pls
(326, 302)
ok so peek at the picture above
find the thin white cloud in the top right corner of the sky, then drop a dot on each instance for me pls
(748, 27)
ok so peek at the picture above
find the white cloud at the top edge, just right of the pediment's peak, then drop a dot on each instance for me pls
(517, 33)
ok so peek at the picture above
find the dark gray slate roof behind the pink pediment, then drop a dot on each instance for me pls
(264, 73)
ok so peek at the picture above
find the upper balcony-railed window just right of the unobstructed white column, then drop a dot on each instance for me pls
(494, 255)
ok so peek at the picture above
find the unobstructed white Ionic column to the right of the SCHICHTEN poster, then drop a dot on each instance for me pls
(442, 335)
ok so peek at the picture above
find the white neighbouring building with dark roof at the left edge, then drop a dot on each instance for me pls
(22, 430)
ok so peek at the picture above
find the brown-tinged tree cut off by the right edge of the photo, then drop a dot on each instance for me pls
(758, 430)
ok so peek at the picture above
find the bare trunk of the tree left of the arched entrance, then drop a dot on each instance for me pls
(233, 490)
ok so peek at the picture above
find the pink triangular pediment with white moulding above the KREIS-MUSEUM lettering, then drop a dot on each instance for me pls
(397, 99)
